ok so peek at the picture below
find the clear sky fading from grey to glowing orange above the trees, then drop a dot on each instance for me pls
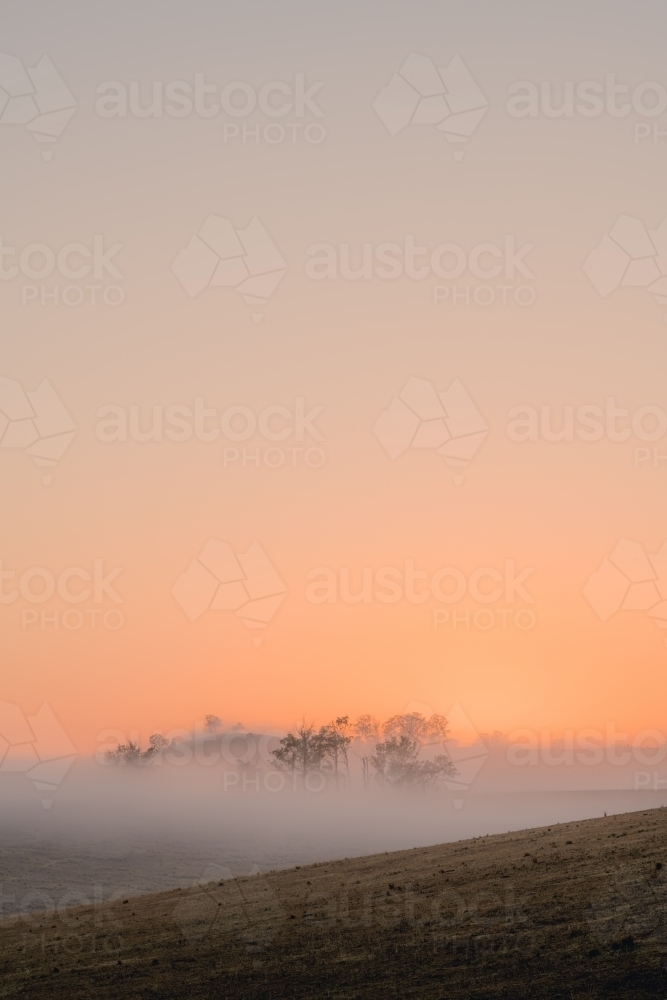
(514, 272)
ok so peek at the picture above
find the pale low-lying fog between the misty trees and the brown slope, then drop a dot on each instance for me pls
(110, 830)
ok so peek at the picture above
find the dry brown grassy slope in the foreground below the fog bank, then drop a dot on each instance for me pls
(575, 911)
